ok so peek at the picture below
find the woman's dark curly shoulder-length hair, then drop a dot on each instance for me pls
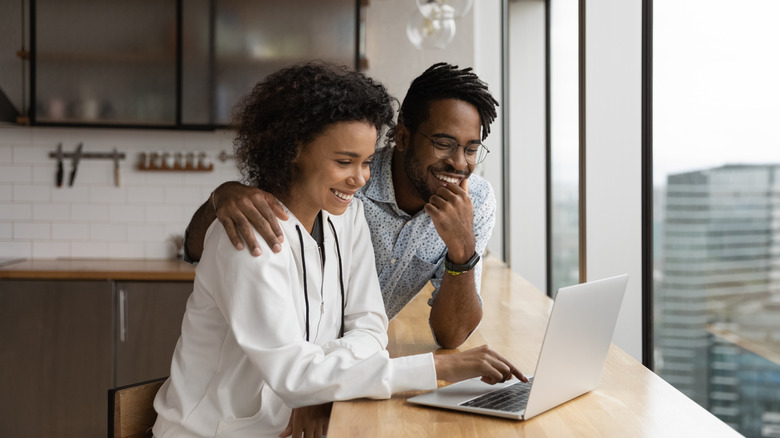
(291, 107)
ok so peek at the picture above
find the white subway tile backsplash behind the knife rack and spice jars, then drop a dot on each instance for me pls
(95, 219)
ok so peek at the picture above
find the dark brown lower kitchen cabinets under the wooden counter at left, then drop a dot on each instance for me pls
(65, 343)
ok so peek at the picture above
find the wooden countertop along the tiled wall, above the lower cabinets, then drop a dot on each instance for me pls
(98, 269)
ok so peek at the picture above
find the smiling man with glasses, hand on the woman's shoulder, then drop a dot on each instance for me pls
(430, 218)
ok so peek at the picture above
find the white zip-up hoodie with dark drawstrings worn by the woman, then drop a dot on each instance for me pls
(242, 361)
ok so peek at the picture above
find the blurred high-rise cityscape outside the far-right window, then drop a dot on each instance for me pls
(717, 293)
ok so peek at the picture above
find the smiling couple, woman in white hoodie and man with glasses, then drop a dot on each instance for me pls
(270, 339)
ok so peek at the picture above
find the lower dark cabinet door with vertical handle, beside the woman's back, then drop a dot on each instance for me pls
(149, 316)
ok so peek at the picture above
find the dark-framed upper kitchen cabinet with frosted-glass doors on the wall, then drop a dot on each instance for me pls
(168, 63)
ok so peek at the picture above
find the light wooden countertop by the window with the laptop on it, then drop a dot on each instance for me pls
(630, 401)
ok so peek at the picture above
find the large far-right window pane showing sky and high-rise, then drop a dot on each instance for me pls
(716, 102)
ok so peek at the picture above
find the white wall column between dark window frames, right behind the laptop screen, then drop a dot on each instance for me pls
(613, 69)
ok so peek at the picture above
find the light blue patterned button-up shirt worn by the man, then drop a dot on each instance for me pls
(408, 249)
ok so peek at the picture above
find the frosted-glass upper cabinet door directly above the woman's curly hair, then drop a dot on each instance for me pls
(230, 45)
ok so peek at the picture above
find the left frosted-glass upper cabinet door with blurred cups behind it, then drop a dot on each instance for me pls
(105, 62)
